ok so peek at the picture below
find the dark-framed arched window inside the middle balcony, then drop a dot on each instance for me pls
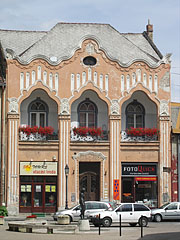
(87, 114)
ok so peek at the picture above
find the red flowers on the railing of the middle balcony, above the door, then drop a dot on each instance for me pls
(86, 134)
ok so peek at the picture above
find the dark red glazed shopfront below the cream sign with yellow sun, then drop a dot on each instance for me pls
(38, 194)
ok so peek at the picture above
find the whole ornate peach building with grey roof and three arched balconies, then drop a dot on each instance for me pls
(89, 83)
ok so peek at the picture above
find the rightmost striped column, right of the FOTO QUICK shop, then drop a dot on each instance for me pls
(165, 154)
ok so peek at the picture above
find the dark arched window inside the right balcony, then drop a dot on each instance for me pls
(135, 113)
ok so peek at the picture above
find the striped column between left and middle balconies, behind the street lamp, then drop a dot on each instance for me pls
(64, 141)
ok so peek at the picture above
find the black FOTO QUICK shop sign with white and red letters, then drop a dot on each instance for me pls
(138, 169)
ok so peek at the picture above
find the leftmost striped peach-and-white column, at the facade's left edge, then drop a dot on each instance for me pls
(12, 158)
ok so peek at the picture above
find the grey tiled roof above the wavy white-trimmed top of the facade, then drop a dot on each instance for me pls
(63, 39)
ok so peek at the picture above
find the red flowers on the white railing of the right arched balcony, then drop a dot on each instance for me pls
(140, 134)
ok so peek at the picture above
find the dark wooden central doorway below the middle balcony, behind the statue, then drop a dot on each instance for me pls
(89, 179)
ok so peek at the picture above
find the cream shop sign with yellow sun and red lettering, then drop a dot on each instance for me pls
(38, 168)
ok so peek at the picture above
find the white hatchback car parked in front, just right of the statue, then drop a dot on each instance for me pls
(131, 213)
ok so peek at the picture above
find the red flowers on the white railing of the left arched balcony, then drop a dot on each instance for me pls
(35, 133)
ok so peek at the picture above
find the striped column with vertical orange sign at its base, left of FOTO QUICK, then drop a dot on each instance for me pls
(115, 164)
